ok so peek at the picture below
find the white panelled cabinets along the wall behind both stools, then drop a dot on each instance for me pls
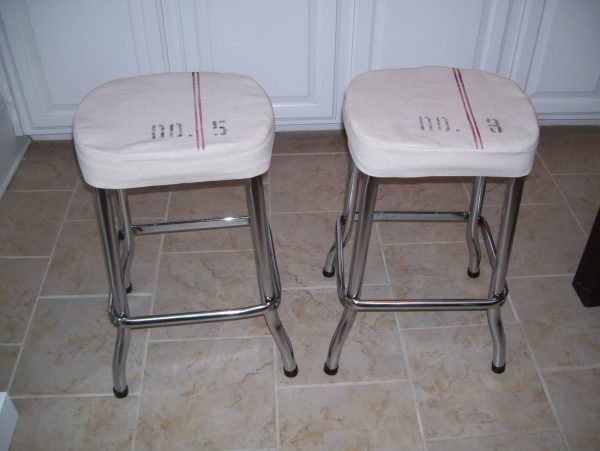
(303, 52)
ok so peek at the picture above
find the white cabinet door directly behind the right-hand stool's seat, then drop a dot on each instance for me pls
(404, 33)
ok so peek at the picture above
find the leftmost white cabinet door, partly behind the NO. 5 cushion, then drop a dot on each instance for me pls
(58, 50)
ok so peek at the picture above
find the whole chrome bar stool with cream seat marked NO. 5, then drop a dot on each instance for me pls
(169, 129)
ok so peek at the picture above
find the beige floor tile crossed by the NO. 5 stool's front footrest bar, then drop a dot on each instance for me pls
(211, 281)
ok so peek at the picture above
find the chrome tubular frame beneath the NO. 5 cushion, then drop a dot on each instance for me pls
(117, 236)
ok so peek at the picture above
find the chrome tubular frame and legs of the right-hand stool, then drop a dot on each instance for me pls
(365, 214)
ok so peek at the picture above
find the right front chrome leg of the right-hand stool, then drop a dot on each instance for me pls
(510, 210)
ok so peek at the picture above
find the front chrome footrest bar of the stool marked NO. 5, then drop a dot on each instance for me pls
(177, 319)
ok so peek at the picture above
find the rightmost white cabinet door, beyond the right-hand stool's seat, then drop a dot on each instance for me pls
(557, 58)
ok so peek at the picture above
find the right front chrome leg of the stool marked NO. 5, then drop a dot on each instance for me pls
(266, 268)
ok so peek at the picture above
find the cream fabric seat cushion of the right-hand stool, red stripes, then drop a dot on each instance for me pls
(437, 121)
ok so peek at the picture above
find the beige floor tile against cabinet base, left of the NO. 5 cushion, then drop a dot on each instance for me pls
(47, 165)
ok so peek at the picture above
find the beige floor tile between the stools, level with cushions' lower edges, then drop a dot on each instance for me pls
(308, 183)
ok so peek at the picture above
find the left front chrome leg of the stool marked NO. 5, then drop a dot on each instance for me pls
(117, 297)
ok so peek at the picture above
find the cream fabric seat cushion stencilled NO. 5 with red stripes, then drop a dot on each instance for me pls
(173, 128)
